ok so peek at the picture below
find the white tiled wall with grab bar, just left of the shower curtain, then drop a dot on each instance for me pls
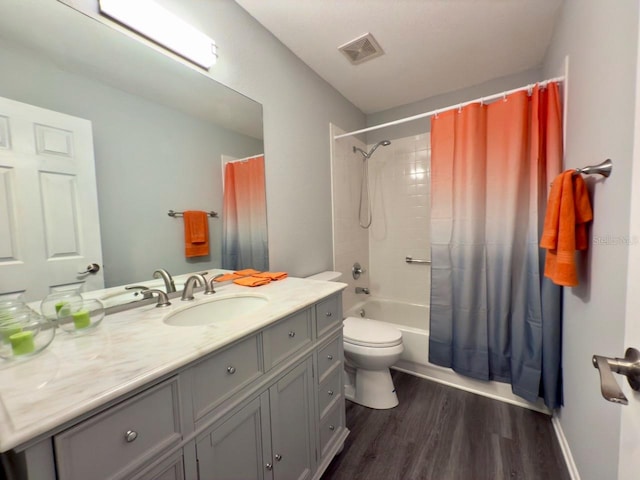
(400, 176)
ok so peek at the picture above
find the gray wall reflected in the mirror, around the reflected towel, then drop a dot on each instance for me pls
(149, 159)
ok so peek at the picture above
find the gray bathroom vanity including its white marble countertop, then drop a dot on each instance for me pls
(255, 396)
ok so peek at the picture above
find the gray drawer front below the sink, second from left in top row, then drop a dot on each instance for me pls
(224, 373)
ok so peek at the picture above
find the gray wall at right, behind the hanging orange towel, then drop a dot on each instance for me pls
(601, 41)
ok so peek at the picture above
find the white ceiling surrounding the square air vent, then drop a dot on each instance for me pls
(431, 46)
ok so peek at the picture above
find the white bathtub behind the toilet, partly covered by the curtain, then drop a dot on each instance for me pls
(413, 321)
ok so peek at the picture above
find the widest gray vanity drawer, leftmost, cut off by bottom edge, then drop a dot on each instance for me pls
(121, 438)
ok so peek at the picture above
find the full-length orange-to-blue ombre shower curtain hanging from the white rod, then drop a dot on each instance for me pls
(494, 316)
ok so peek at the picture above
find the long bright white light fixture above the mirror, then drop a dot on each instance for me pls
(162, 27)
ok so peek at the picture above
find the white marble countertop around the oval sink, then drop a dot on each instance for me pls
(77, 374)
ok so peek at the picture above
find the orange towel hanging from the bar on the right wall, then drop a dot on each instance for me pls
(568, 211)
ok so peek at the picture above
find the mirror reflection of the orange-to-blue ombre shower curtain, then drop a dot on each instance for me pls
(244, 220)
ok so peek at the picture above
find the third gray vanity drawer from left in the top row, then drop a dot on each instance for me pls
(287, 336)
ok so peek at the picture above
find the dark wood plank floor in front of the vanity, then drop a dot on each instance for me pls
(442, 433)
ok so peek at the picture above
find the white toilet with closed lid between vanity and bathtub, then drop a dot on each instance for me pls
(370, 348)
